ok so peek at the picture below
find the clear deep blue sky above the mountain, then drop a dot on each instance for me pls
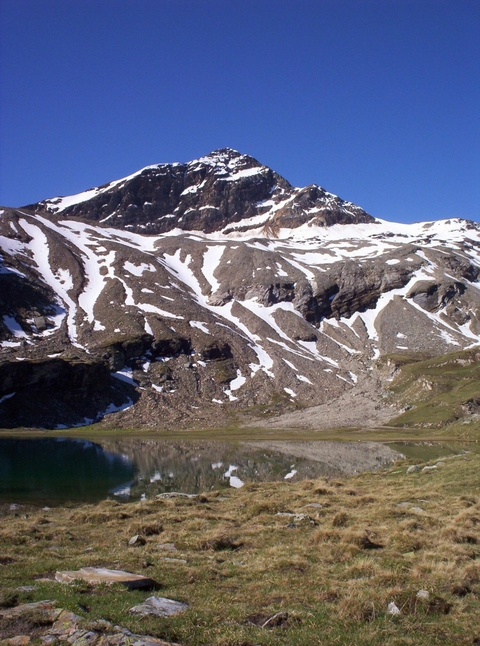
(377, 101)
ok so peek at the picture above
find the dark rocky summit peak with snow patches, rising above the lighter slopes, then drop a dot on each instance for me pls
(207, 195)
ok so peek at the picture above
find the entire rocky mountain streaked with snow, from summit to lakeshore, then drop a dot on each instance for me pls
(214, 292)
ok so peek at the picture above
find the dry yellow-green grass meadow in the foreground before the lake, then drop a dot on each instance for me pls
(332, 554)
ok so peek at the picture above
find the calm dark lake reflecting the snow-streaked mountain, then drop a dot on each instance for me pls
(50, 471)
